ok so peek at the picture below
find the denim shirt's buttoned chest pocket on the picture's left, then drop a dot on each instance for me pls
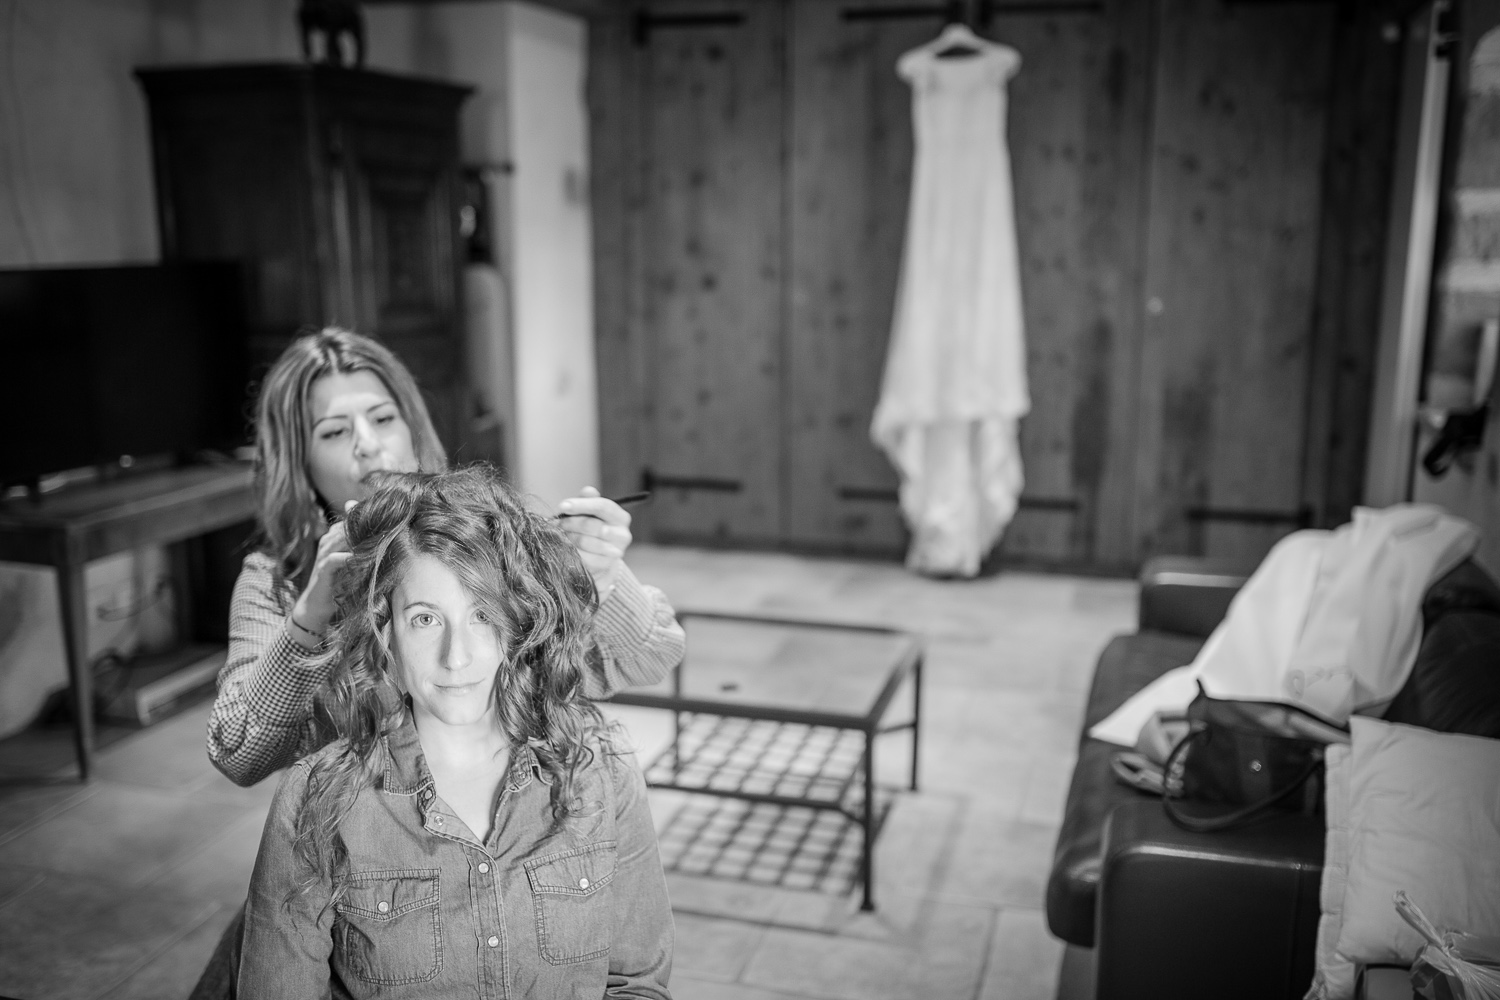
(386, 926)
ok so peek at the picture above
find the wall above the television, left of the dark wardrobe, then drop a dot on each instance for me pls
(76, 172)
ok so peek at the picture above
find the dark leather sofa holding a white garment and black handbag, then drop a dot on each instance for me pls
(1171, 914)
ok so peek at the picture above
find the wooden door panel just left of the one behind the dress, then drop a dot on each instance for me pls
(710, 263)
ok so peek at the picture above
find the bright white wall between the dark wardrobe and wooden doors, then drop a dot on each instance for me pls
(529, 68)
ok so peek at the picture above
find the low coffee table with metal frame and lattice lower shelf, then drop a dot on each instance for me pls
(787, 711)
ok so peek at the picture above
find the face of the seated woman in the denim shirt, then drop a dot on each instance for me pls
(446, 651)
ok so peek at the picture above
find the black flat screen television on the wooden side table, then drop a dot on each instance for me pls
(133, 361)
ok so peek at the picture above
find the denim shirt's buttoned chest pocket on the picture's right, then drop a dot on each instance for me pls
(574, 903)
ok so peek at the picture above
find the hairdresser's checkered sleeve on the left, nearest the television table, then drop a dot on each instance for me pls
(260, 719)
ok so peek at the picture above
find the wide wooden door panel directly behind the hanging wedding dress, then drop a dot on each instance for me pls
(1076, 136)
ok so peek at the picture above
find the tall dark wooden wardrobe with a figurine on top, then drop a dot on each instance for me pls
(338, 188)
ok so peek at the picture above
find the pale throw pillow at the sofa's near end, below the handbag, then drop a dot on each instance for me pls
(1408, 809)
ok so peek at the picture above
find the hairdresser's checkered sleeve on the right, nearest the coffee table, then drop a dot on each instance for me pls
(638, 638)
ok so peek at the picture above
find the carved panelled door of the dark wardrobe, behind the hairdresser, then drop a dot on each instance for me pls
(395, 230)
